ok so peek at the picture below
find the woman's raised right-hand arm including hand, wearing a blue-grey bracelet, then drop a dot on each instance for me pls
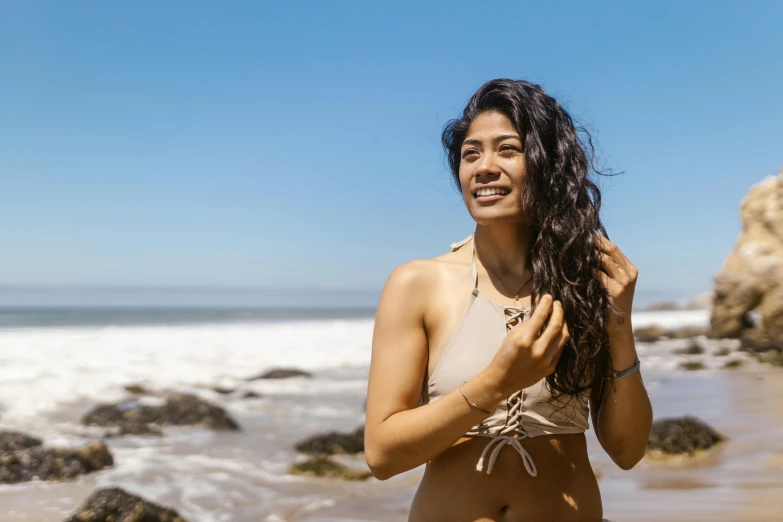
(621, 409)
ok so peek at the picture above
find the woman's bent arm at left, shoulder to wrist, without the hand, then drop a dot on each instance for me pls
(400, 436)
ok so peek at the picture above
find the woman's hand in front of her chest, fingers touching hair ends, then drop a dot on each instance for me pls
(527, 355)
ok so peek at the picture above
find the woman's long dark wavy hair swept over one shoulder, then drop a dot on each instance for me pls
(563, 205)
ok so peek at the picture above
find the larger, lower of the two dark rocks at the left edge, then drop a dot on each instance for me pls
(54, 464)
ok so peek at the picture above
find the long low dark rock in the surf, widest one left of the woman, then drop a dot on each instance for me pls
(133, 417)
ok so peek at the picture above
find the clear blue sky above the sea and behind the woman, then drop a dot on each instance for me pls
(297, 144)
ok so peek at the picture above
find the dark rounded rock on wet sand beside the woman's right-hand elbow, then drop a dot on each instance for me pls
(683, 435)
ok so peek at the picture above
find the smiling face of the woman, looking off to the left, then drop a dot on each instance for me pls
(492, 170)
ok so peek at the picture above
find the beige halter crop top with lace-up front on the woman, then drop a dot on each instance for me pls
(525, 413)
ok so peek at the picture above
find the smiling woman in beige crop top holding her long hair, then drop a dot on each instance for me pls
(485, 358)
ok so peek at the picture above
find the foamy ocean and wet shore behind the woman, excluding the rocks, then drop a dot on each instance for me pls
(58, 363)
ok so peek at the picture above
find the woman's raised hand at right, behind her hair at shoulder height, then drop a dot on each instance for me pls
(618, 276)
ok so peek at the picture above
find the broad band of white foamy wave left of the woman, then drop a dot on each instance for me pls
(43, 368)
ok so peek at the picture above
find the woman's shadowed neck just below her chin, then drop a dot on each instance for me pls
(505, 248)
